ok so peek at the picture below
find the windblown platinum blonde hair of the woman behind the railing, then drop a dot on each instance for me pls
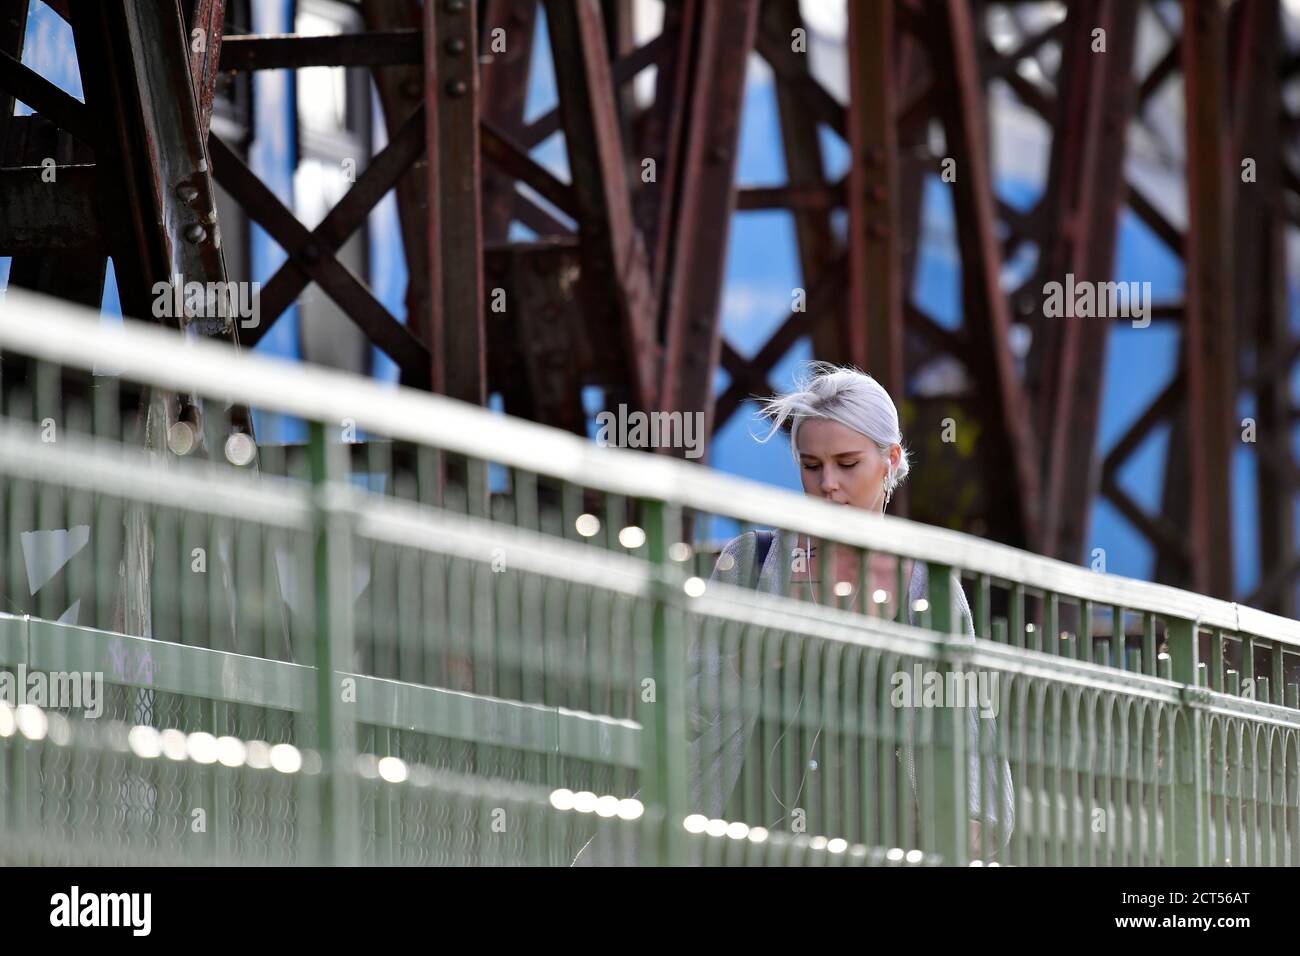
(847, 396)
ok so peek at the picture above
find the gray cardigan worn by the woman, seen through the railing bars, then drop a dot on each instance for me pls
(718, 742)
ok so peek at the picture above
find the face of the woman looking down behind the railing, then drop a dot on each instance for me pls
(842, 465)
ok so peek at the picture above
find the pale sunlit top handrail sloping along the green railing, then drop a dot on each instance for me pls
(68, 335)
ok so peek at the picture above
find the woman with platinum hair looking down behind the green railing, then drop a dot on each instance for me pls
(846, 440)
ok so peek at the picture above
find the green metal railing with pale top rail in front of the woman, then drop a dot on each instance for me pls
(427, 634)
